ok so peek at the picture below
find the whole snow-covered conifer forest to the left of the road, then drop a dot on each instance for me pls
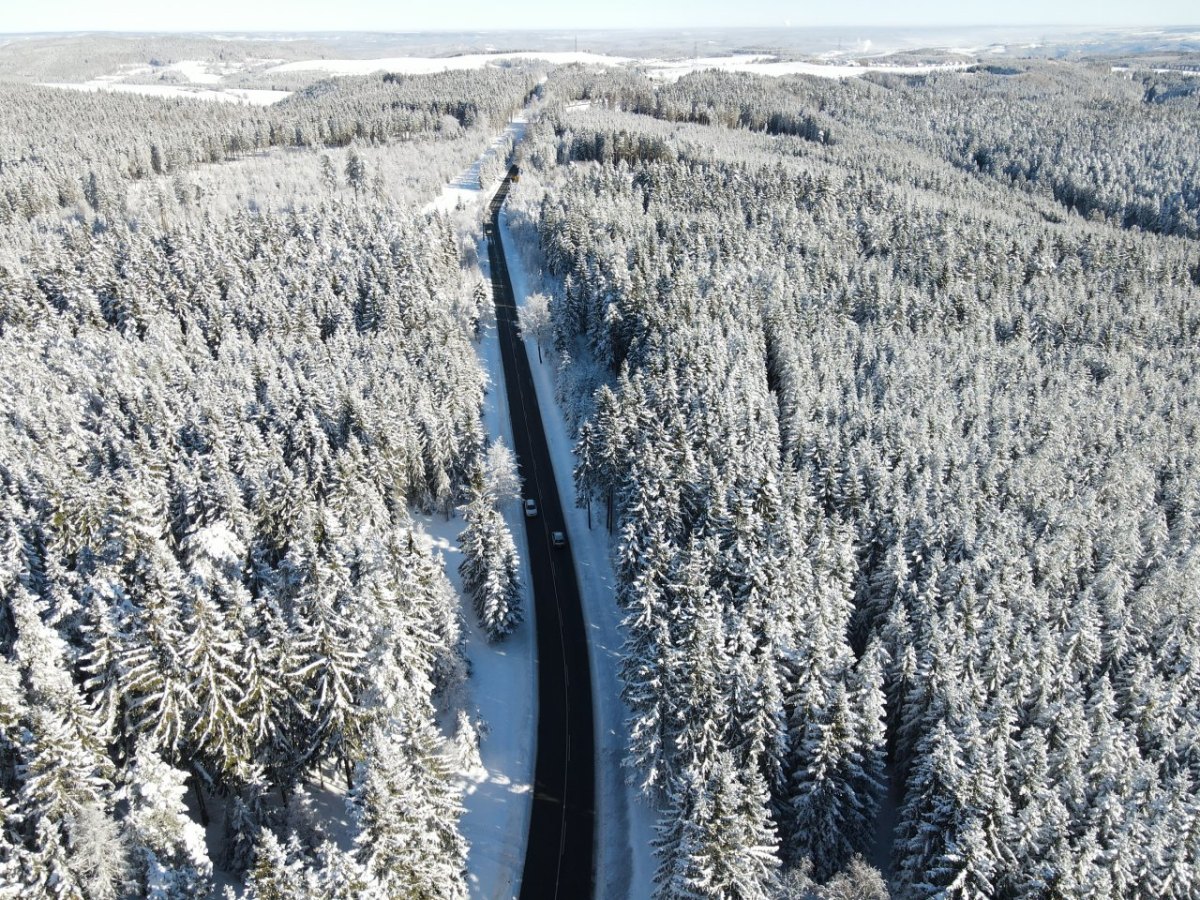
(220, 411)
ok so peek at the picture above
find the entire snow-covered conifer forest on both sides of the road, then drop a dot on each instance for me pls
(885, 389)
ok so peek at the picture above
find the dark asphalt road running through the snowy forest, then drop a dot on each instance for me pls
(560, 859)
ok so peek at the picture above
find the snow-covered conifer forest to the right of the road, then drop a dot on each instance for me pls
(886, 388)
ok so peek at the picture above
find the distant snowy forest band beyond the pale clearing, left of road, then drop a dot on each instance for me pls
(68, 153)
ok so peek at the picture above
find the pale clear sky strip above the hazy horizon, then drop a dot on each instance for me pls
(19, 16)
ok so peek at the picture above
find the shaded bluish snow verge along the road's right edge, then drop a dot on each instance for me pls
(625, 821)
